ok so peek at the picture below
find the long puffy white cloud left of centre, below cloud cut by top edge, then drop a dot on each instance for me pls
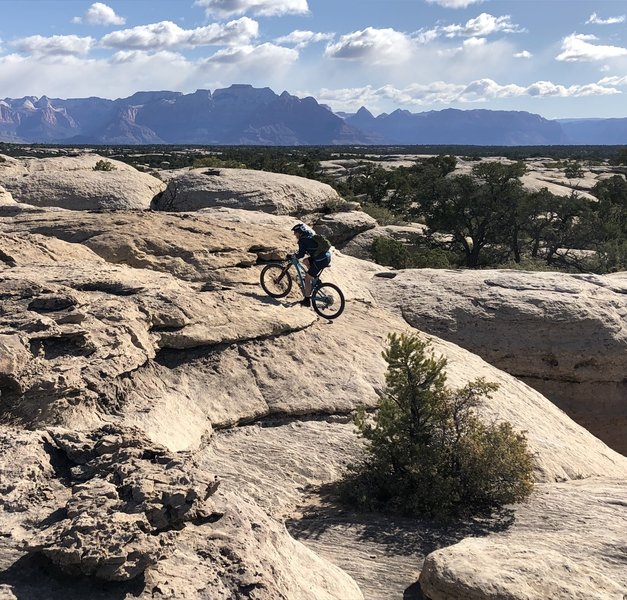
(166, 35)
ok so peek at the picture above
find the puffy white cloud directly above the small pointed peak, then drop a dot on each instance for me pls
(375, 46)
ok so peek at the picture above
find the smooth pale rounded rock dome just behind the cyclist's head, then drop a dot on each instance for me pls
(245, 189)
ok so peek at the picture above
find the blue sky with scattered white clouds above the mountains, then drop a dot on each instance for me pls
(556, 58)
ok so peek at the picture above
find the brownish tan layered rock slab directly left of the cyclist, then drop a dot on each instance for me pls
(189, 246)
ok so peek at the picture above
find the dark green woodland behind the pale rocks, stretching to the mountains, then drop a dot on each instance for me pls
(484, 219)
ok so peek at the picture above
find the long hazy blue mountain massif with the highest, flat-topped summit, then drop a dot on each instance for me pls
(239, 114)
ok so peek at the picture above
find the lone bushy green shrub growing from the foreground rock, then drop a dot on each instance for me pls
(427, 453)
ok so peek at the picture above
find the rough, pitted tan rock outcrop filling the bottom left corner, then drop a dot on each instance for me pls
(113, 506)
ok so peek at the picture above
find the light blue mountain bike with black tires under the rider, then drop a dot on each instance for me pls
(326, 298)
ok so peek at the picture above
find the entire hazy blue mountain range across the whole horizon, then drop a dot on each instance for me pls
(245, 115)
